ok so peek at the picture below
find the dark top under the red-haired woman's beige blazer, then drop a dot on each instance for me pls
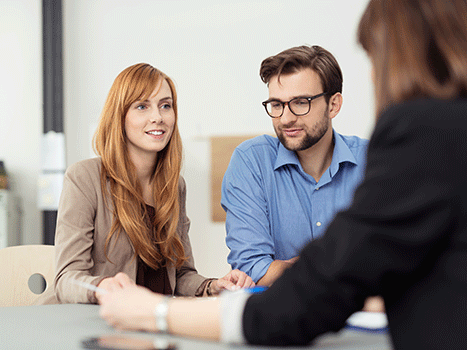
(155, 280)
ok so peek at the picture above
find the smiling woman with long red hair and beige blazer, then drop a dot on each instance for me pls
(122, 218)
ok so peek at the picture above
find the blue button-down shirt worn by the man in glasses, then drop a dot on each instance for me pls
(274, 208)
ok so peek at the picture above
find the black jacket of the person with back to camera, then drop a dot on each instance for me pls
(404, 237)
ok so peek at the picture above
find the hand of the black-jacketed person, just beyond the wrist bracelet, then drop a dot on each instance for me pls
(130, 308)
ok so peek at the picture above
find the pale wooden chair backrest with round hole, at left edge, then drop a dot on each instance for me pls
(17, 265)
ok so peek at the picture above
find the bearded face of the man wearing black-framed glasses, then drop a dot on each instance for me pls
(298, 133)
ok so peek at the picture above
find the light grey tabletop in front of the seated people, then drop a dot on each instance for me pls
(66, 326)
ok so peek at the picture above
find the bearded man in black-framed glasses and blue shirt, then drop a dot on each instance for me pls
(279, 193)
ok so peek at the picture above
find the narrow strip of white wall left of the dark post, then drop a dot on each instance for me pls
(21, 106)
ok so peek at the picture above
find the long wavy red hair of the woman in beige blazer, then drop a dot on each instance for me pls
(130, 216)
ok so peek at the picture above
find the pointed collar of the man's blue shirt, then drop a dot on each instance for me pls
(341, 154)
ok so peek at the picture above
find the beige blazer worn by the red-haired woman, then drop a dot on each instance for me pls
(83, 222)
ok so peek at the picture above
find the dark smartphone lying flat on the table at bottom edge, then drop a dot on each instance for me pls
(122, 342)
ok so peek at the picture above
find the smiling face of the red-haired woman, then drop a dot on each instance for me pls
(149, 124)
